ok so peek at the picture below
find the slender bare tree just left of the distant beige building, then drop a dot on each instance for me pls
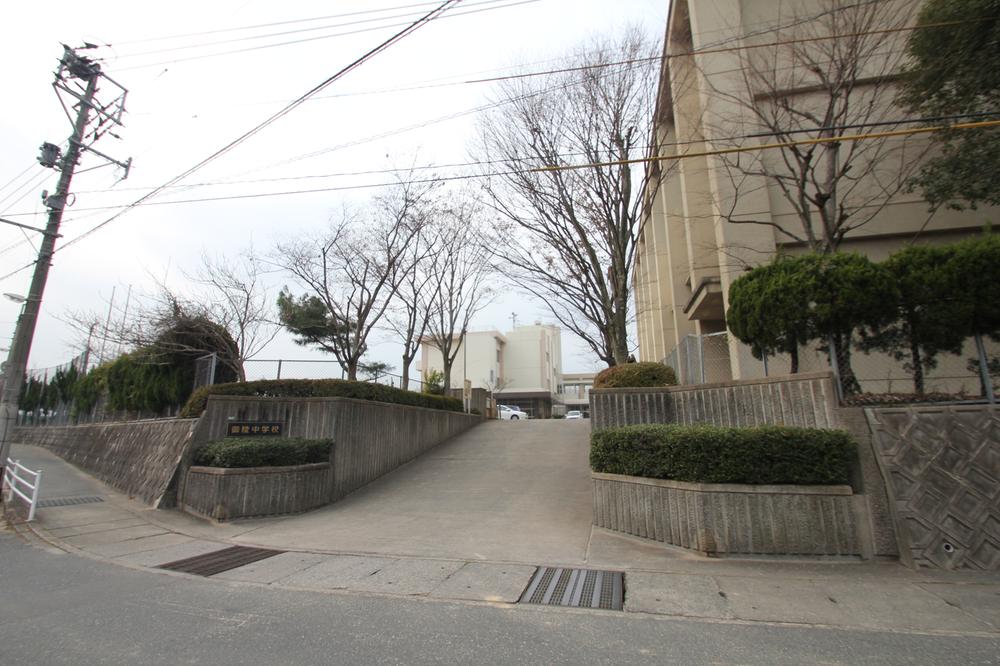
(460, 270)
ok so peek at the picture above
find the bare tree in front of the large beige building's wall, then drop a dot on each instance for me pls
(821, 80)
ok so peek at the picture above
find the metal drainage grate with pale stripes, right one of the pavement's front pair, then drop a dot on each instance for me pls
(583, 588)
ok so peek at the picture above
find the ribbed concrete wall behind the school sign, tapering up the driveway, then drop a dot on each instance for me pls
(370, 438)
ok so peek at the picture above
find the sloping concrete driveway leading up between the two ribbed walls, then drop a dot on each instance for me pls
(509, 491)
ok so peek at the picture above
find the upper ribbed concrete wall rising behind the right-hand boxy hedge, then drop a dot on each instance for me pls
(806, 400)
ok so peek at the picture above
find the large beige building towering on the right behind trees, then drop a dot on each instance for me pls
(715, 214)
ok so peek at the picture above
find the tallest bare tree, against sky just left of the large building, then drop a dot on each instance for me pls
(569, 236)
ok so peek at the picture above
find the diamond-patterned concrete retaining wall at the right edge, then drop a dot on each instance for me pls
(942, 466)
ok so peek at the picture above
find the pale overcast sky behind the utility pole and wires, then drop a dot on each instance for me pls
(184, 103)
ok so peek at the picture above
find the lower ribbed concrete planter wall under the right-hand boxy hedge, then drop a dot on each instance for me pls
(732, 518)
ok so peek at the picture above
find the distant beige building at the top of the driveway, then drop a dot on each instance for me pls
(524, 366)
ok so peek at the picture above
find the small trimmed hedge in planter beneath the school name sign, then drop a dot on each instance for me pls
(263, 452)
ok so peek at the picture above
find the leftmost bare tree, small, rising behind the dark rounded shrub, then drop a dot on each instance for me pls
(236, 296)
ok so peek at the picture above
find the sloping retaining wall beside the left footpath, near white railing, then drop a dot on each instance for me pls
(137, 457)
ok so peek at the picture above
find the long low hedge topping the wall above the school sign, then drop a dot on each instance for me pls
(318, 388)
